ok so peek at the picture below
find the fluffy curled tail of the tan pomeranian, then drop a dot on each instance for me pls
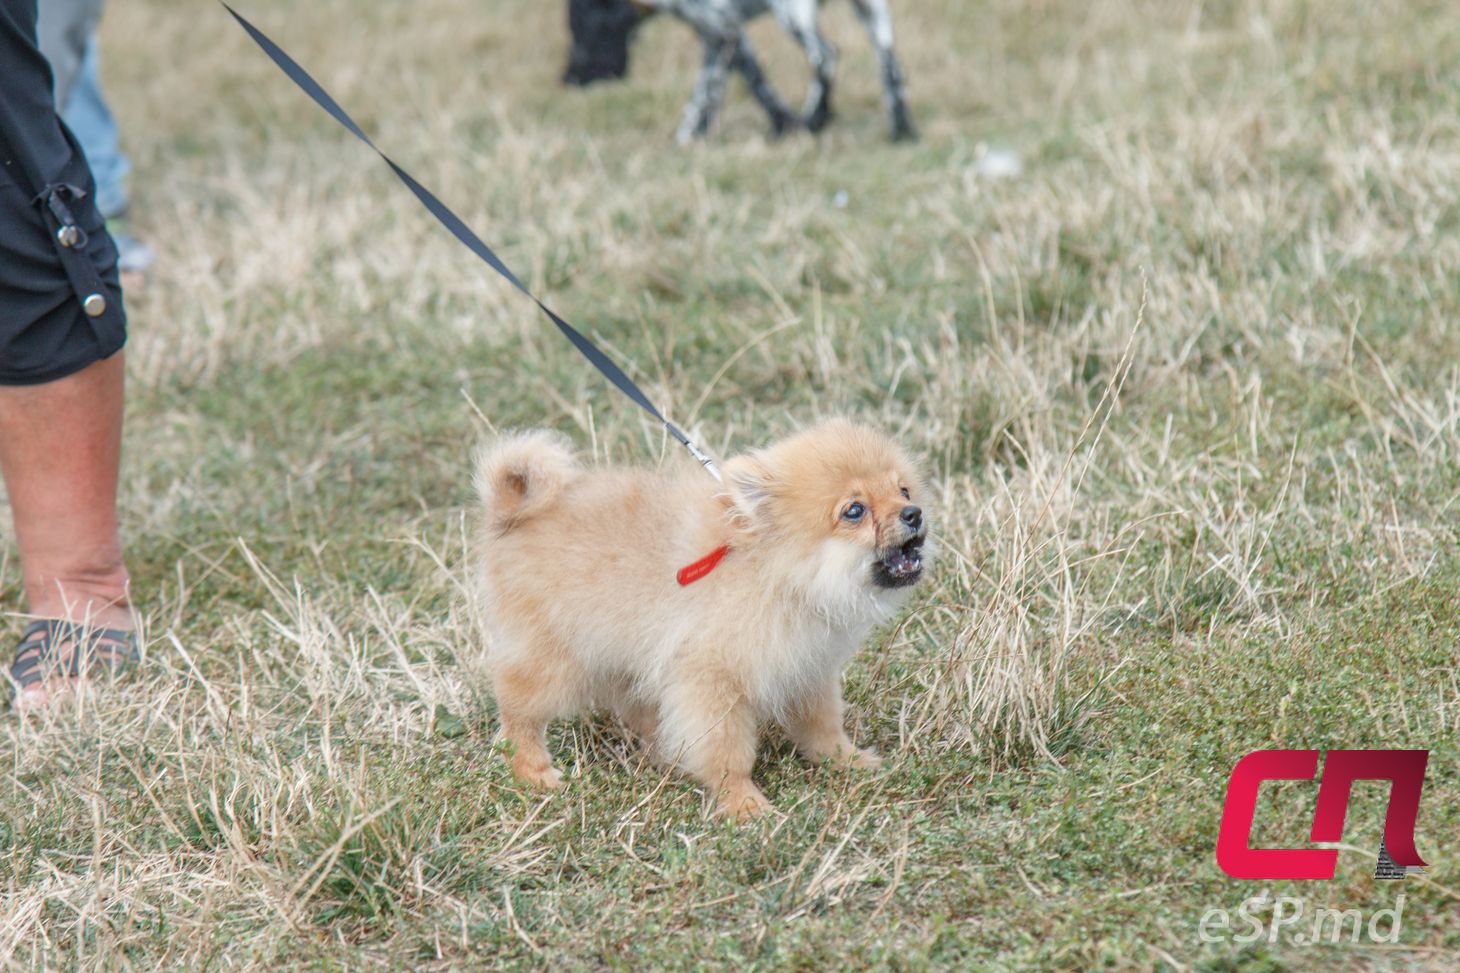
(520, 476)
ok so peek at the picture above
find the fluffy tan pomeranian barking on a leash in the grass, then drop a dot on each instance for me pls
(697, 614)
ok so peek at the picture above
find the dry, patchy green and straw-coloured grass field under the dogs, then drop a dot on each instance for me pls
(1188, 385)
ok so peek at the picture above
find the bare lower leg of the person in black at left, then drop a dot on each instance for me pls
(61, 448)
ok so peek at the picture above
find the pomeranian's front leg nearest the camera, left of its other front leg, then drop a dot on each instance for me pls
(716, 744)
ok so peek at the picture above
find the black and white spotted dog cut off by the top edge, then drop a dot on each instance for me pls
(602, 31)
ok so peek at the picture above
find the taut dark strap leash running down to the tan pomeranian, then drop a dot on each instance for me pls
(469, 239)
